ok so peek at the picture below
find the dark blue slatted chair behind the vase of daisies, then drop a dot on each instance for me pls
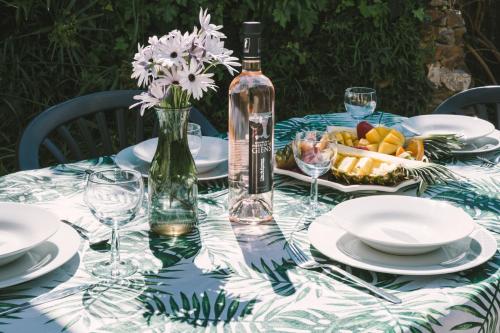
(81, 128)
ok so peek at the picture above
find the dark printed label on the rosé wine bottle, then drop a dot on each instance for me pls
(260, 171)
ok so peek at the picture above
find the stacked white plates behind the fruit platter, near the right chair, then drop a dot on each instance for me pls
(479, 135)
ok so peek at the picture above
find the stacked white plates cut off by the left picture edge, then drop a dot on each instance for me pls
(33, 242)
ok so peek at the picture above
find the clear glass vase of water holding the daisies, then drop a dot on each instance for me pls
(172, 183)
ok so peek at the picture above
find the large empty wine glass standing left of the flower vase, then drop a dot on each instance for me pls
(114, 197)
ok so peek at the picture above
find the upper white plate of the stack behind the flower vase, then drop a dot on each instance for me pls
(213, 152)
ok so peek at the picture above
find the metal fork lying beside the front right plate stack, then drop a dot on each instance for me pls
(300, 258)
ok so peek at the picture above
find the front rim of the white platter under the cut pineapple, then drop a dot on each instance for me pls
(347, 188)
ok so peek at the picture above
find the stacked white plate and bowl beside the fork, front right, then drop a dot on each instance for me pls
(402, 235)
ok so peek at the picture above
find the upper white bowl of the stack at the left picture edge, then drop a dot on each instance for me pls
(23, 227)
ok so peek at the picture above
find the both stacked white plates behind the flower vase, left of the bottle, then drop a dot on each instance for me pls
(211, 161)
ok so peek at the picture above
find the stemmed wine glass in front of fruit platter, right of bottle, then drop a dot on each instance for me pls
(314, 153)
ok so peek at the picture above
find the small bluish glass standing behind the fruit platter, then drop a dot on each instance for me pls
(360, 102)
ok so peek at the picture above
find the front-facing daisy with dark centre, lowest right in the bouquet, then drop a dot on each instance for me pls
(194, 81)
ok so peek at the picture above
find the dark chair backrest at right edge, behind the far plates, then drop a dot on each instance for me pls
(483, 102)
